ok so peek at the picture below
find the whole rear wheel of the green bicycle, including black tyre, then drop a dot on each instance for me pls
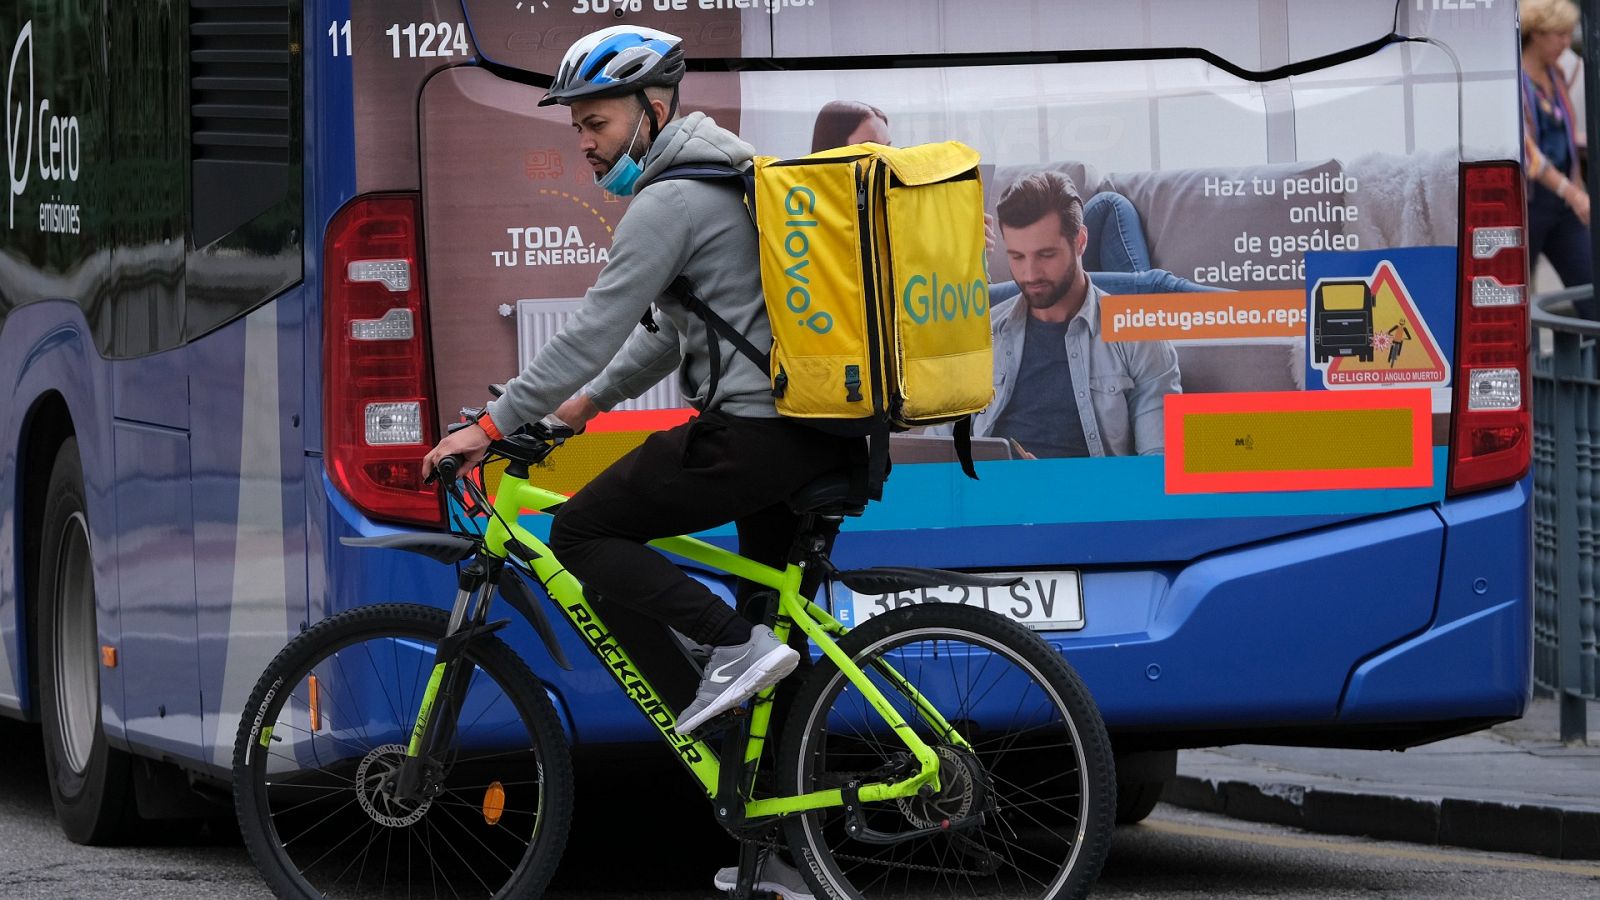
(1028, 782)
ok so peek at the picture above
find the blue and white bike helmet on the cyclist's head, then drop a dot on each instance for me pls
(617, 62)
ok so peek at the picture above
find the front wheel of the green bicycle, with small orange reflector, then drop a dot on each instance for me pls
(326, 733)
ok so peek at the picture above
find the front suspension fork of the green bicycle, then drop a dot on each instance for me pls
(436, 717)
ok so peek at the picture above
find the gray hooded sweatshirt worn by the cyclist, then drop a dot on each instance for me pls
(690, 228)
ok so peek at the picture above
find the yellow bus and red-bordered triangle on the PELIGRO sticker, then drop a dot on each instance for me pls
(1369, 332)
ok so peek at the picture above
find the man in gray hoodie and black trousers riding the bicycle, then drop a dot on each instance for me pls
(738, 460)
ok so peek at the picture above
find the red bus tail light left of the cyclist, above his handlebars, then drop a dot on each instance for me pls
(378, 406)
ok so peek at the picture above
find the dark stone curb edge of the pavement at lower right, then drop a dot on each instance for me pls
(1510, 829)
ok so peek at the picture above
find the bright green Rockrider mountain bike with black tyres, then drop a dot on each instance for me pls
(934, 750)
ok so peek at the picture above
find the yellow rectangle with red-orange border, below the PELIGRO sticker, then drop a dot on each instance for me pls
(1298, 441)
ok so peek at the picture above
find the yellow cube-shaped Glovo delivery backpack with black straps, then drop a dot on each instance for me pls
(878, 289)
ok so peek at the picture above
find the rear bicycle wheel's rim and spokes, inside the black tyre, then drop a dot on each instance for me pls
(1014, 806)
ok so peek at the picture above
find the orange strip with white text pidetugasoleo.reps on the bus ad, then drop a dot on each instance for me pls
(1196, 316)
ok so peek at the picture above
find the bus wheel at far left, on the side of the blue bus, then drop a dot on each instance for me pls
(89, 781)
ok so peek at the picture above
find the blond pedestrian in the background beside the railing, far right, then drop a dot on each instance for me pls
(1558, 201)
